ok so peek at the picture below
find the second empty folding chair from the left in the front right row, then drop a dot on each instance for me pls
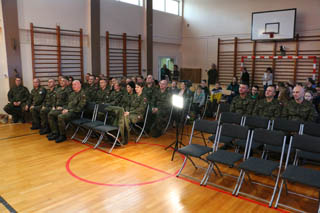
(225, 157)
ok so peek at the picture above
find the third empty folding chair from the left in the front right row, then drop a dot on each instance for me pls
(262, 166)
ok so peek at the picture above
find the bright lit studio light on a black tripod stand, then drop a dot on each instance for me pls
(177, 103)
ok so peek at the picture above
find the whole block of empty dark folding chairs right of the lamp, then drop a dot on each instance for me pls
(292, 141)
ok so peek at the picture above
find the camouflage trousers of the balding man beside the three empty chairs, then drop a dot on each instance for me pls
(58, 121)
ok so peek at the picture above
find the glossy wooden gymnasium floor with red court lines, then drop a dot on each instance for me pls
(38, 175)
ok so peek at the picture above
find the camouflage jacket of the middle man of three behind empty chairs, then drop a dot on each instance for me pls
(266, 109)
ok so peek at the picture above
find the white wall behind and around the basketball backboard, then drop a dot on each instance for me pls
(210, 19)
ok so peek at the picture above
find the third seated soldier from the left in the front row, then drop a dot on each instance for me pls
(47, 106)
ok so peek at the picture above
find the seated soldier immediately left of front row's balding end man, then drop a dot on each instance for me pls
(61, 102)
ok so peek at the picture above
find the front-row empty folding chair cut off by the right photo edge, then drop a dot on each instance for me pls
(299, 174)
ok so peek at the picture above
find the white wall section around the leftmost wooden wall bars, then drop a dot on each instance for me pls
(70, 14)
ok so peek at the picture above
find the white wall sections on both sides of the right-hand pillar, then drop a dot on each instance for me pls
(119, 17)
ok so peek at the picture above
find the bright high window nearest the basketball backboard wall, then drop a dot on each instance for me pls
(168, 6)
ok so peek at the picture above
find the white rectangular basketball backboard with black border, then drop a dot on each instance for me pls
(273, 25)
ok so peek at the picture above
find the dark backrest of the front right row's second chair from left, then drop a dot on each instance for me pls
(234, 131)
